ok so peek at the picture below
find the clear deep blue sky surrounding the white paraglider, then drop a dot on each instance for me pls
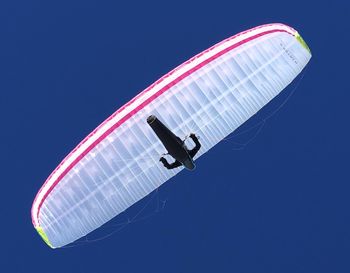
(279, 205)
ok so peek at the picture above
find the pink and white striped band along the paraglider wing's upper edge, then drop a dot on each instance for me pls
(141, 106)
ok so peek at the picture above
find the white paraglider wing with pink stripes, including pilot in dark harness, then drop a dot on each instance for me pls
(209, 96)
